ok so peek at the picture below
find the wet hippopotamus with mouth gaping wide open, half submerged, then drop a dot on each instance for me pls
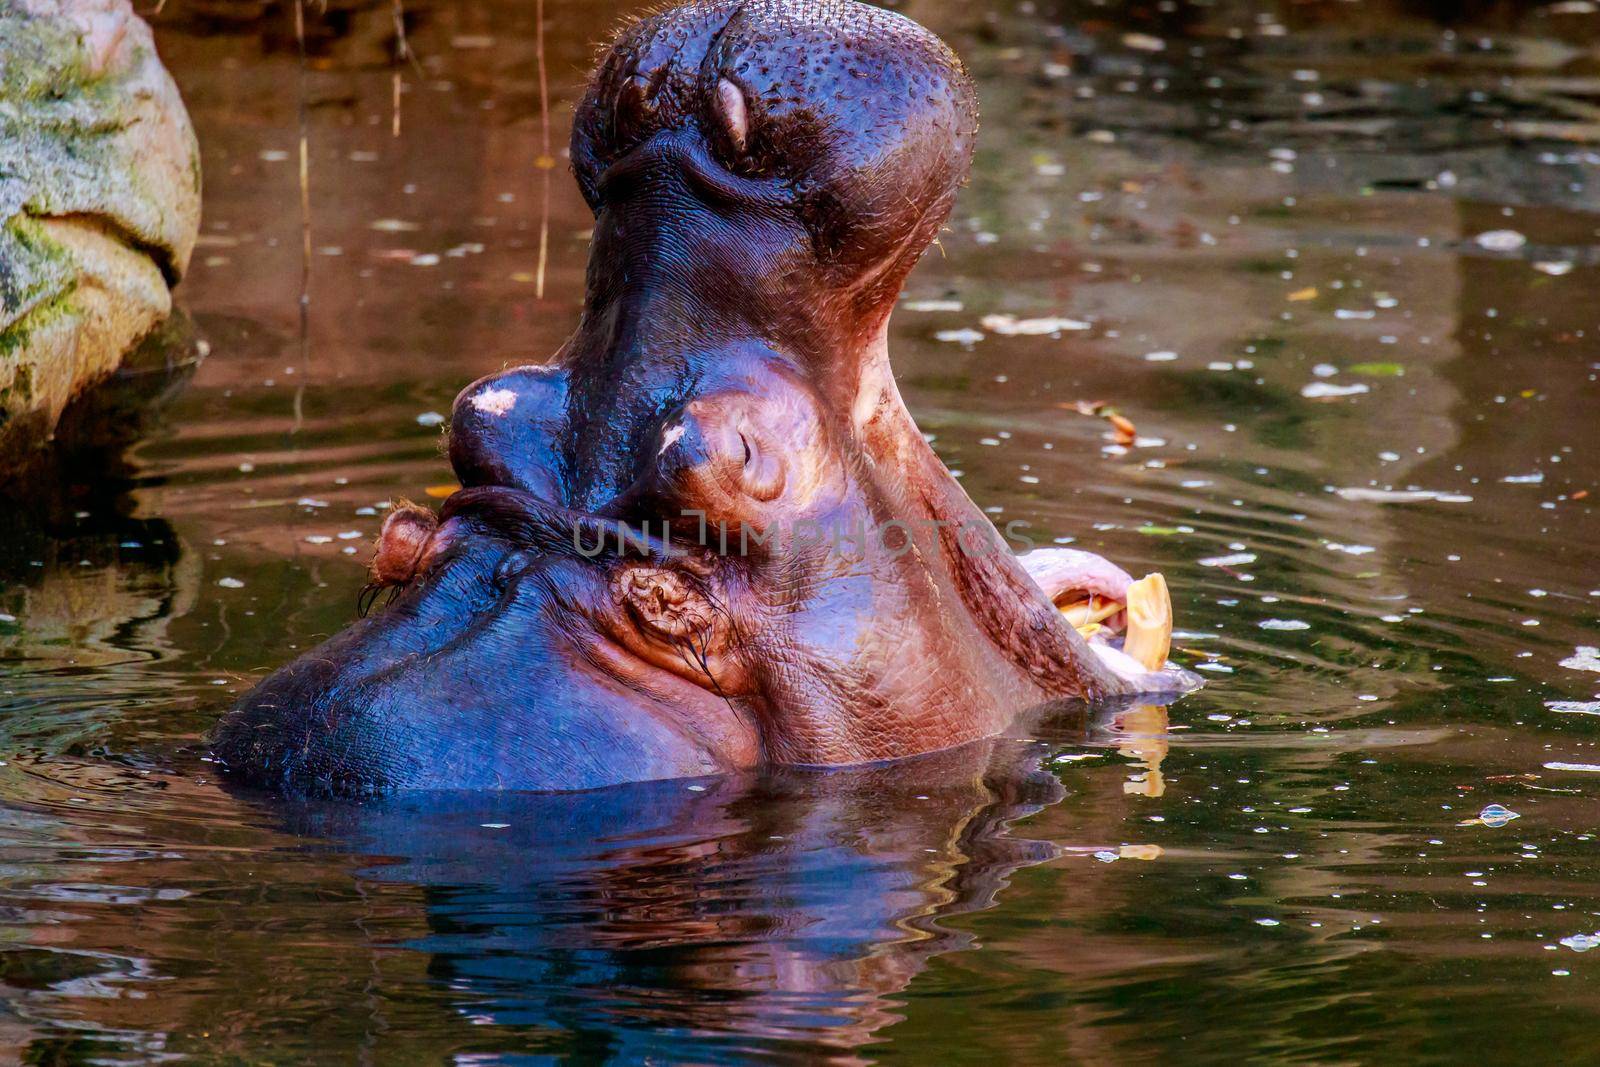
(708, 537)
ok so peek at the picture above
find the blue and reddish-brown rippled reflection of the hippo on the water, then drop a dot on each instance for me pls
(660, 924)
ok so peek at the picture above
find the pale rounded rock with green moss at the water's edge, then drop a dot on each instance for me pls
(100, 204)
